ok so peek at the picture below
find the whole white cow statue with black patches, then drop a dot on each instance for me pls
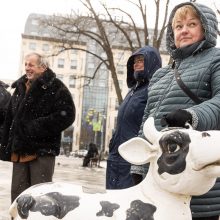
(183, 162)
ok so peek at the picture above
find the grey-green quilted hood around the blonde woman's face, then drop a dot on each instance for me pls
(209, 23)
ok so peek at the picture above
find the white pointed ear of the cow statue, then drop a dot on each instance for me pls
(137, 151)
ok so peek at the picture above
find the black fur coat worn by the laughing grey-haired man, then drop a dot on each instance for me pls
(35, 120)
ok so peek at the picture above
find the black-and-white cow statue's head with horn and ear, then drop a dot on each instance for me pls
(181, 160)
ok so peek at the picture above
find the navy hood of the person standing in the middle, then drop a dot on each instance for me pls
(152, 62)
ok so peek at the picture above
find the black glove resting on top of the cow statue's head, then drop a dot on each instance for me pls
(177, 118)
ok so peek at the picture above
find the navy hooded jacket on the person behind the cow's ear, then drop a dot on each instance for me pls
(132, 108)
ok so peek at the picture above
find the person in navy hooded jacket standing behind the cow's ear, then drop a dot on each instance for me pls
(140, 68)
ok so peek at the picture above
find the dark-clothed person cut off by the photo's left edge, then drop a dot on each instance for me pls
(4, 101)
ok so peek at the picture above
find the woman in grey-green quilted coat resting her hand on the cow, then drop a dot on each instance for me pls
(191, 41)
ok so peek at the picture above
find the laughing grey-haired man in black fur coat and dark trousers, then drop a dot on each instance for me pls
(40, 108)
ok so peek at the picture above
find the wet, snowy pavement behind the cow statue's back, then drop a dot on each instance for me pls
(68, 169)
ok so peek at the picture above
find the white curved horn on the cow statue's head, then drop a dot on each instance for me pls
(150, 131)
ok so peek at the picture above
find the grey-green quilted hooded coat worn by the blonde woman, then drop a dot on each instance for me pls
(199, 67)
